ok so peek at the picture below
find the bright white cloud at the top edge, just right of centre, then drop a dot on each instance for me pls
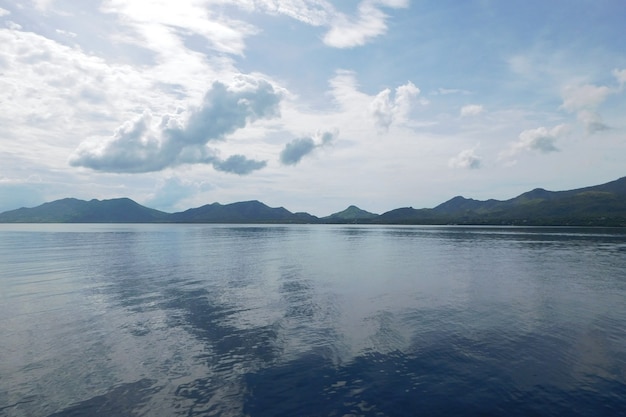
(370, 22)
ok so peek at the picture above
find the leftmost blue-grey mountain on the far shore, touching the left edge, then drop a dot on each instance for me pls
(71, 210)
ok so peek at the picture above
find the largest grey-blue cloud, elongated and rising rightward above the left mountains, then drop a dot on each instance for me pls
(151, 143)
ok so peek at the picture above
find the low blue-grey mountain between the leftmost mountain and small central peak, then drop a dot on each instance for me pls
(242, 212)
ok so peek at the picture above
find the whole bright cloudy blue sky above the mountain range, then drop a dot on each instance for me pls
(308, 104)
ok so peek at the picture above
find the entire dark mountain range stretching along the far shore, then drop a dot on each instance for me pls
(599, 205)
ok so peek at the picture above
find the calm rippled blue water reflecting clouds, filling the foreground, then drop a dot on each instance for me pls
(220, 320)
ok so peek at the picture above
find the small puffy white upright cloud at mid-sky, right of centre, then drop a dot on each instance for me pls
(386, 109)
